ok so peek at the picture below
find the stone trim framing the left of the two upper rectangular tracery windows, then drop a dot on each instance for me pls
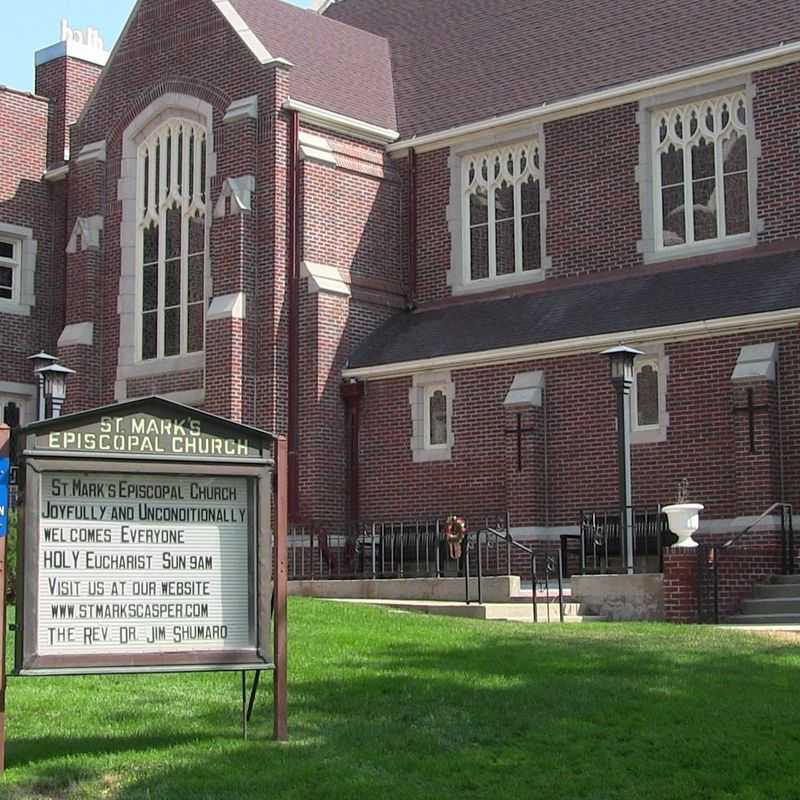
(455, 212)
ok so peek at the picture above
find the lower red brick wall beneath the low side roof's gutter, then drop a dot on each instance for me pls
(705, 440)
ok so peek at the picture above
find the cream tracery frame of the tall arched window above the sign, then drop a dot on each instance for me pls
(153, 210)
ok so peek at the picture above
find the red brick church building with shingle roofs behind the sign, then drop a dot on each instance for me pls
(403, 234)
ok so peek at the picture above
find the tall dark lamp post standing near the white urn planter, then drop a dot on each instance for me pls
(621, 360)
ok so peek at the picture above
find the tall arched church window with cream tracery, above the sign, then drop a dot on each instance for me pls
(172, 248)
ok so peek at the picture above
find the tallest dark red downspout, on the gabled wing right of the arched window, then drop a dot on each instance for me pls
(293, 280)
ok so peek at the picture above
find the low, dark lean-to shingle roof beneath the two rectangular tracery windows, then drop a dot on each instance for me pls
(750, 286)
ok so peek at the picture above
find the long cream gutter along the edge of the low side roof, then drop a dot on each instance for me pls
(581, 345)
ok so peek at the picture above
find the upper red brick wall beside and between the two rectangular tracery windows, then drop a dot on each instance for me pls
(593, 215)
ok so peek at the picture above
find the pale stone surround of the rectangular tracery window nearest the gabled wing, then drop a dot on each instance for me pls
(459, 274)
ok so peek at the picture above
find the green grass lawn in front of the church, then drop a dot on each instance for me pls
(386, 705)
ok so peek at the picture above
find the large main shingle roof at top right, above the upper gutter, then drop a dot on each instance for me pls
(460, 61)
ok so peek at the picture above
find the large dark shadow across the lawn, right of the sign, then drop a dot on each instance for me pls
(619, 715)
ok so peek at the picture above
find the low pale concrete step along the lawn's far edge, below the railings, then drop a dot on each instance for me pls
(508, 612)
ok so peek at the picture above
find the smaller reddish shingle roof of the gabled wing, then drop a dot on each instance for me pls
(336, 67)
